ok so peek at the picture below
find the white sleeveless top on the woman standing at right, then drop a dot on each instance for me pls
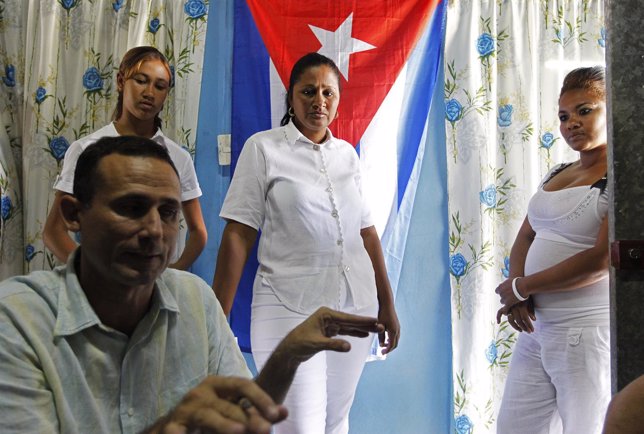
(566, 222)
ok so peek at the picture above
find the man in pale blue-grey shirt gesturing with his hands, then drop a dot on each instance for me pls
(115, 342)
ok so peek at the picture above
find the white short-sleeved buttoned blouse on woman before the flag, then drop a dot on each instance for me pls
(306, 198)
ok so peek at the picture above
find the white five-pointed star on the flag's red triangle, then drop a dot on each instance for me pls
(339, 45)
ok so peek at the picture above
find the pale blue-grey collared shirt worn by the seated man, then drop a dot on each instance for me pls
(62, 370)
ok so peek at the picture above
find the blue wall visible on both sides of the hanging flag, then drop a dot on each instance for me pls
(411, 391)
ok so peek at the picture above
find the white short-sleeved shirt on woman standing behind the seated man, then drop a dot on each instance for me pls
(189, 185)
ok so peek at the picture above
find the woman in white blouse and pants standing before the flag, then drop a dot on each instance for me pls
(318, 247)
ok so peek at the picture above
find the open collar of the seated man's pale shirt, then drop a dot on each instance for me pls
(75, 313)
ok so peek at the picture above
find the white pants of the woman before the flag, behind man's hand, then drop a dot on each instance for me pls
(322, 392)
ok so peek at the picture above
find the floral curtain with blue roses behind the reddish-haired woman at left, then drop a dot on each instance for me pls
(58, 64)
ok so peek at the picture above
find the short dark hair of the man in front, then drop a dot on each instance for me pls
(86, 176)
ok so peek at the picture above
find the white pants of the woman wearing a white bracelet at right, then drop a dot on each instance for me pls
(559, 381)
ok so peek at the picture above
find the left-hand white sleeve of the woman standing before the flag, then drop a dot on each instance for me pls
(245, 201)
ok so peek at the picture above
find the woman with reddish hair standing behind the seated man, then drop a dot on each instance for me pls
(143, 83)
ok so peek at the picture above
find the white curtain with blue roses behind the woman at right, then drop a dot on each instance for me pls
(504, 64)
